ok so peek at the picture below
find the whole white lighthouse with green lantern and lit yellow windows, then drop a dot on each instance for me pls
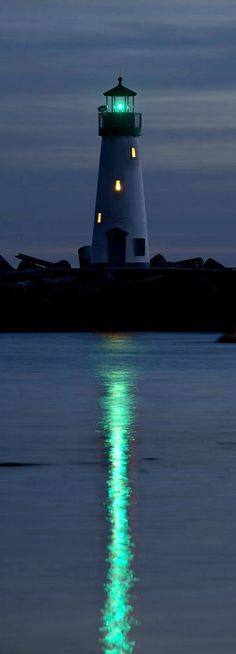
(120, 227)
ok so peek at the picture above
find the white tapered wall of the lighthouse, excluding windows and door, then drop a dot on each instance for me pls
(125, 209)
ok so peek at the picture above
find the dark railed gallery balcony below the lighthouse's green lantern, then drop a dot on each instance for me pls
(119, 124)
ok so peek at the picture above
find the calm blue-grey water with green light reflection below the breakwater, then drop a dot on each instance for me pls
(119, 535)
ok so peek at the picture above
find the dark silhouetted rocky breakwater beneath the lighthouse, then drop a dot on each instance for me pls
(190, 295)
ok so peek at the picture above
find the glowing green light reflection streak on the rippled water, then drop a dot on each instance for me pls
(117, 614)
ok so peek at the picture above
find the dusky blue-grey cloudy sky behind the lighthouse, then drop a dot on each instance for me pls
(57, 57)
